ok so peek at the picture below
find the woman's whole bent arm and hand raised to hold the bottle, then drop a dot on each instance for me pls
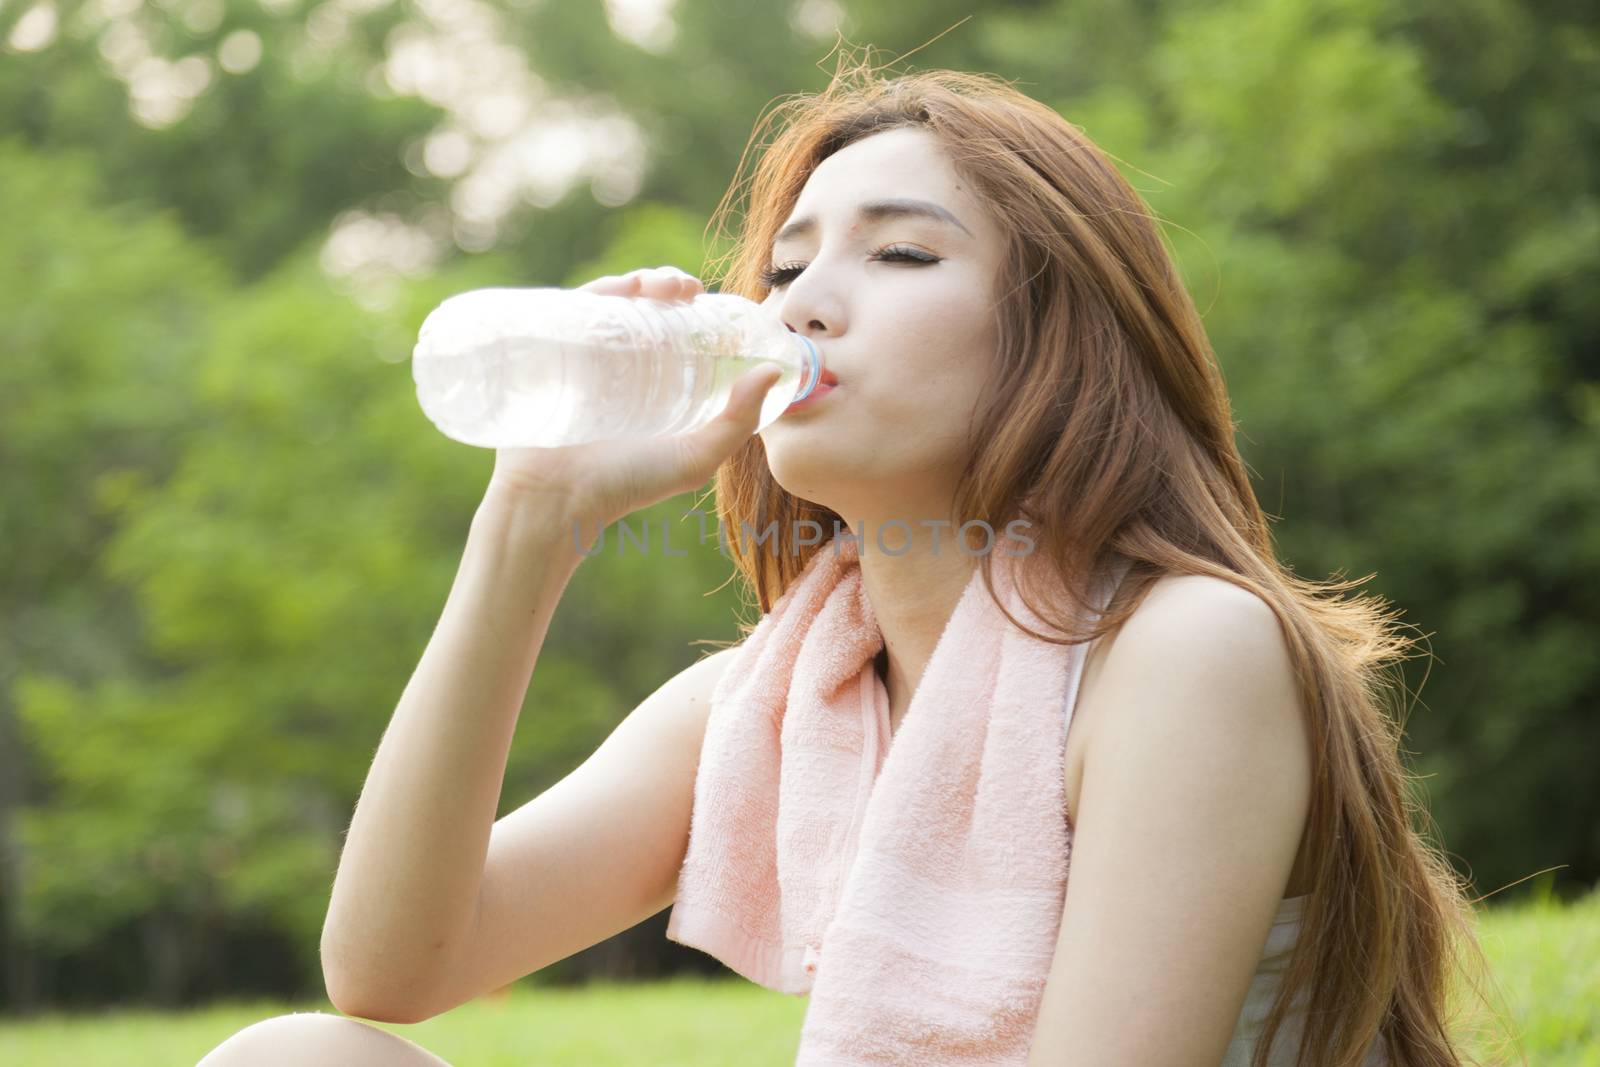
(423, 909)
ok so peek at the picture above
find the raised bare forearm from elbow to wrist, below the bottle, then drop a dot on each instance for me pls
(409, 879)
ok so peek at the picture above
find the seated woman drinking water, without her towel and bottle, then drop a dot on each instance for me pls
(1010, 343)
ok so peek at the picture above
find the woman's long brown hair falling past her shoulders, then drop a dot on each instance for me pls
(1108, 428)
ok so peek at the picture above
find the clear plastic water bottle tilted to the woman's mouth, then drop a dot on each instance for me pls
(538, 369)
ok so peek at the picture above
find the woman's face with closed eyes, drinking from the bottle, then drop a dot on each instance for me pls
(900, 306)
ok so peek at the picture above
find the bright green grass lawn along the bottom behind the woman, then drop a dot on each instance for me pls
(1545, 959)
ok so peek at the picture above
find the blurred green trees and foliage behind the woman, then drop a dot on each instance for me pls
(228, 530)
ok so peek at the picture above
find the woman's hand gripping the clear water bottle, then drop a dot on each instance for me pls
(601, 482)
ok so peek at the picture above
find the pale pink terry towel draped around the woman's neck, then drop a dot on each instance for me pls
(914, 892)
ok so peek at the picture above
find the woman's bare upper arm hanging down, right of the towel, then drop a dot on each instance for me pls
(1196, 789)
